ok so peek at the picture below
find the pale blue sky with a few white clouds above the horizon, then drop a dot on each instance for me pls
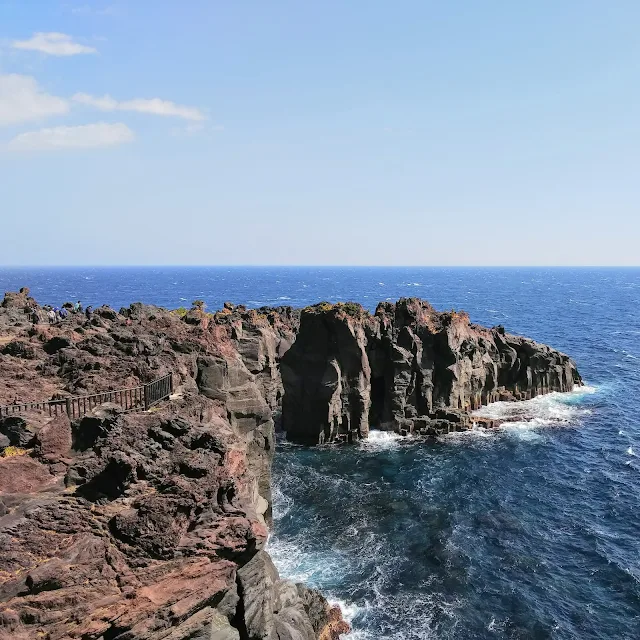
(367, 132)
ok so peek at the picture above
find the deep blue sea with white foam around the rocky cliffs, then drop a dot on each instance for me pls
(531, 531)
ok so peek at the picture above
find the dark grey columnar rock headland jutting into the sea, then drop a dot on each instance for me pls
(408, 368)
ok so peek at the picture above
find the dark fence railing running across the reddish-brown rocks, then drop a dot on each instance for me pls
(140, 398)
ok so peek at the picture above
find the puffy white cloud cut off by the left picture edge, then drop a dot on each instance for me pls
(22, 100)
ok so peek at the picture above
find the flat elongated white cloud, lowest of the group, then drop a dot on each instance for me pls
(87, 136)
